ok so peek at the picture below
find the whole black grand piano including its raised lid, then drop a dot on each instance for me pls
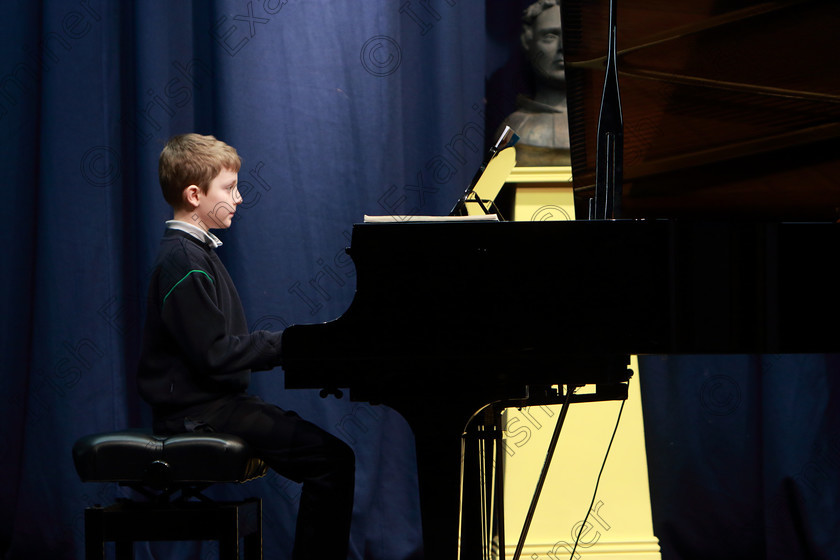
(726, 241)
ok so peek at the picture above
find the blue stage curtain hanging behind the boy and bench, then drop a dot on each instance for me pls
(338, 109)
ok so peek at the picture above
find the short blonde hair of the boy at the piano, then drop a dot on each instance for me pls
(193, 159)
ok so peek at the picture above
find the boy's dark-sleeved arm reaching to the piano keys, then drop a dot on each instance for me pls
(193, 317)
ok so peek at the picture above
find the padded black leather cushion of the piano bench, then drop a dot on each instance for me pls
(137, 457)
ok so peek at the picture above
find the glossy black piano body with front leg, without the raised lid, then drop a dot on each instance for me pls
(451, 316)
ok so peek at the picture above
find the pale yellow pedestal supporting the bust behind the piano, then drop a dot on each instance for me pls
(620, 524)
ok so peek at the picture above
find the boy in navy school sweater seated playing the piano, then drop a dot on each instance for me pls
(197, 353)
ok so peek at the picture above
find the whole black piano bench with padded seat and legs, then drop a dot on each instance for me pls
(171, 472)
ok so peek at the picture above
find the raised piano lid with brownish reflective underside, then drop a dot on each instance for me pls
(731, 109)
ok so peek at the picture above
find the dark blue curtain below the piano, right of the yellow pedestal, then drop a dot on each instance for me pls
(744, 455)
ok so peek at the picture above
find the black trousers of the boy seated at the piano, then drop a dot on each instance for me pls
(296, 449)
